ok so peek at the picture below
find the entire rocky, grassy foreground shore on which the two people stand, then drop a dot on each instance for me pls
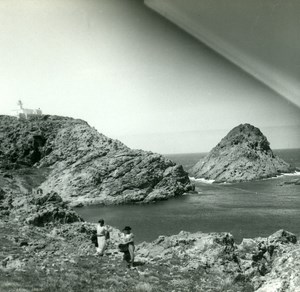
(46, 246)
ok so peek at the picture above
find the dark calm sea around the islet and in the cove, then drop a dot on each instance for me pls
(246, 210)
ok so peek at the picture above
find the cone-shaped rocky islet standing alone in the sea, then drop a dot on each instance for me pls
(243, 154)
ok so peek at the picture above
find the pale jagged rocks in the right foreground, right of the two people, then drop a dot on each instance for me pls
(259, 264)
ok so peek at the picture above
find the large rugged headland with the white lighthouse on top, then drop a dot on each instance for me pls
(84, 166)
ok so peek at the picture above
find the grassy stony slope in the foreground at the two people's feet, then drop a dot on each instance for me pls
(67, 263)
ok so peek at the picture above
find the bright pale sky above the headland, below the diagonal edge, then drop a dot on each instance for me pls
(132, 75)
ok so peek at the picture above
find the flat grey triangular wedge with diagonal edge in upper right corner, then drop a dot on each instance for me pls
(262, 37)
